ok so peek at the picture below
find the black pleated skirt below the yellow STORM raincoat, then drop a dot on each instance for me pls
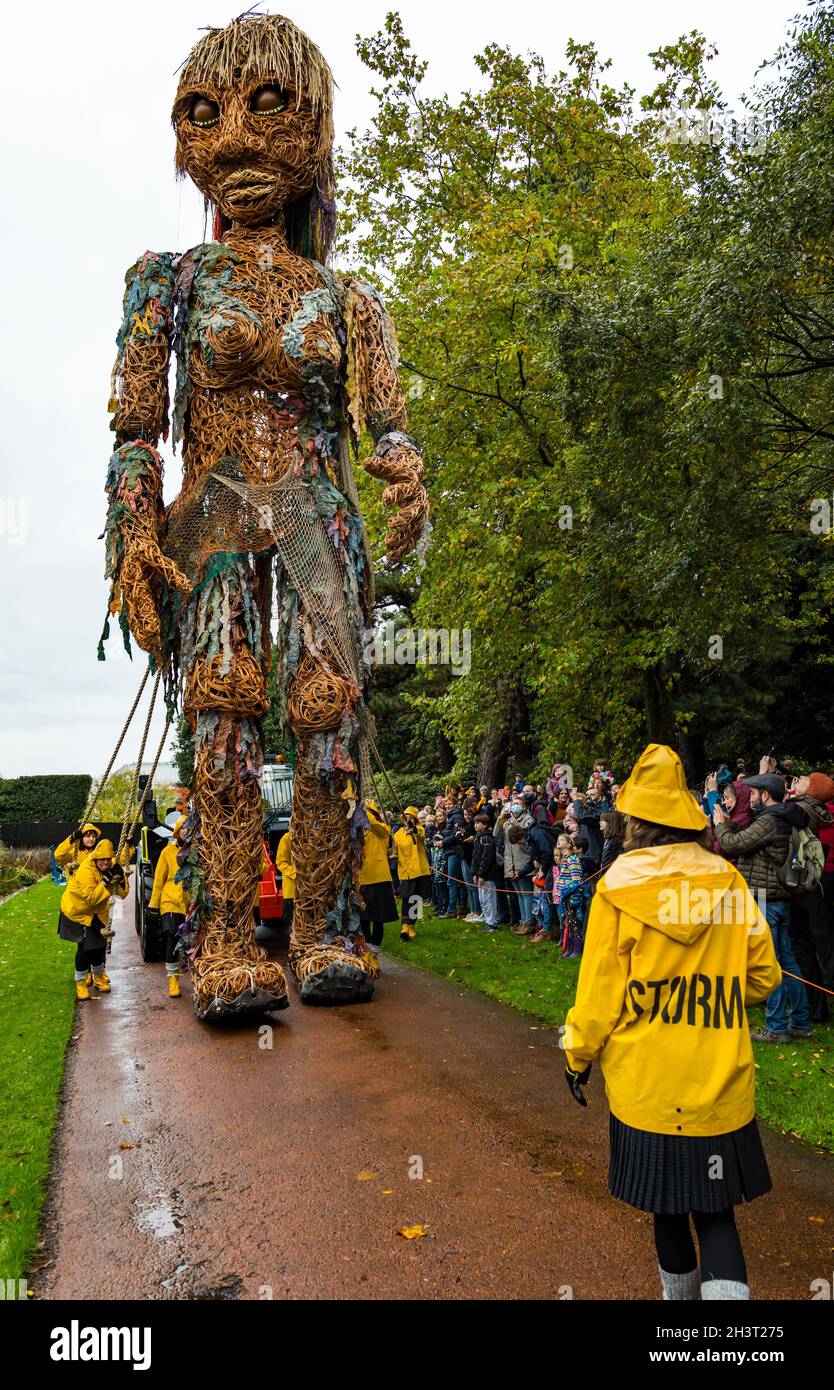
(678, 1174)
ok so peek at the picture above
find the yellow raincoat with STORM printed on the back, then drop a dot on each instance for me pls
(675, 950)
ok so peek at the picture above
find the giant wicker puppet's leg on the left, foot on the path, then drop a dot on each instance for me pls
(226, 697)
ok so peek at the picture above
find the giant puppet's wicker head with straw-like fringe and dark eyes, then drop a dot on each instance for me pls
(255, 130)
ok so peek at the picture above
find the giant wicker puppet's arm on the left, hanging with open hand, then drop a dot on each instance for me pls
(137, 568)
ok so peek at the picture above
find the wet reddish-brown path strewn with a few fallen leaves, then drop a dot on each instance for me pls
(283, 1163)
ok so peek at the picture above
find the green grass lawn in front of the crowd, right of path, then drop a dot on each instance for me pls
(794, 1085)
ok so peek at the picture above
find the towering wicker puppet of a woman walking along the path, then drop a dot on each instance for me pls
(281, 369)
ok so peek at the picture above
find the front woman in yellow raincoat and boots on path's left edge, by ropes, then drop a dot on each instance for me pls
(85, 910)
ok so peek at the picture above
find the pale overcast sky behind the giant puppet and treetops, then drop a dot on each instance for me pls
(90, 186)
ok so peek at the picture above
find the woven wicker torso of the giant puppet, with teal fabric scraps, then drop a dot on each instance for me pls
(261, 357)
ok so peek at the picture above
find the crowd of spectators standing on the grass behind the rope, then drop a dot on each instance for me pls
(529, 857)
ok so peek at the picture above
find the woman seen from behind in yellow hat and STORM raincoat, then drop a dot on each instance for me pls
(675, 950)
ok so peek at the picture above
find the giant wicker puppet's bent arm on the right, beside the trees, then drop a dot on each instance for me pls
(376, 402)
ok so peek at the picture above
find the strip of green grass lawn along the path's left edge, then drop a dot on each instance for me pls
(37, 1010)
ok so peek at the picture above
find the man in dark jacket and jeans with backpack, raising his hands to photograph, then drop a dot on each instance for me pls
(761, 853)
